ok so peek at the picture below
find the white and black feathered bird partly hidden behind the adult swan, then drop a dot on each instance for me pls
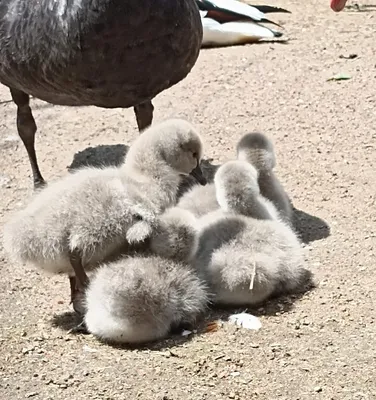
(232, 22)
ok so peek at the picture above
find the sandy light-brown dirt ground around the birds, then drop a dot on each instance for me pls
(320, 346)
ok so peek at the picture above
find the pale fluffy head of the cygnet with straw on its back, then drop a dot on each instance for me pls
(236, 185)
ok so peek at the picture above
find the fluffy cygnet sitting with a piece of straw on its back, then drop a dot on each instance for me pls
(246, 260)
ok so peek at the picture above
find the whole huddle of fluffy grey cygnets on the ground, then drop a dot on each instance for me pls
(156, 262)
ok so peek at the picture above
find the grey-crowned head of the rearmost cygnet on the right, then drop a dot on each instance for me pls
(258, 150)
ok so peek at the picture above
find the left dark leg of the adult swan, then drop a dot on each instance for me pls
(26, 129)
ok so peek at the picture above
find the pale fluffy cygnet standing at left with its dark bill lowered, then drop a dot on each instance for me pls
(78, 221)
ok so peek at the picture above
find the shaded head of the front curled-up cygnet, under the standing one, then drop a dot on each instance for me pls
(176, 236)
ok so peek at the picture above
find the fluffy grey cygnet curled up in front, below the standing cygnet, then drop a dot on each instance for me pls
(141, 299)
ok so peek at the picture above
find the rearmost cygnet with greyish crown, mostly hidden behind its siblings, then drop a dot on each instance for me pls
(258, 150)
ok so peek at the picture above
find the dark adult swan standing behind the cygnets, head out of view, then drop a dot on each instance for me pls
(106, 53)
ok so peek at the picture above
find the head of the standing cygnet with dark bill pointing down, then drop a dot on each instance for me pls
(175, 143)
